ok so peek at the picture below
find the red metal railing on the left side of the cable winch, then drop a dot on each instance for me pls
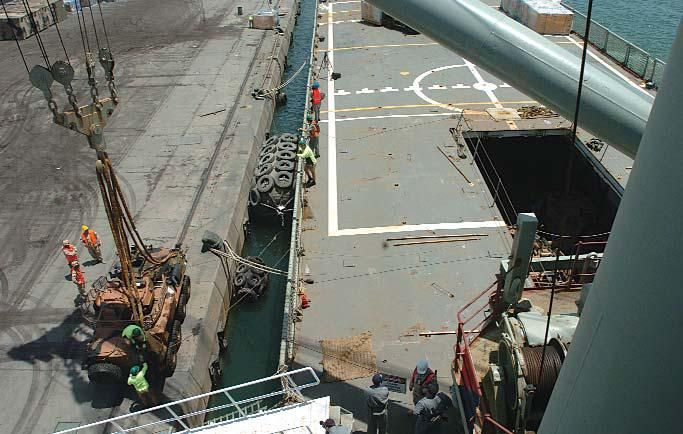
(463, 364)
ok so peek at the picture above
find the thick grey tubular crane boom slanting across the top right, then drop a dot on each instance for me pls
(611, 108)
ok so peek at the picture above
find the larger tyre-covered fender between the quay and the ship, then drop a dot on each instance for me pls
(272, 186)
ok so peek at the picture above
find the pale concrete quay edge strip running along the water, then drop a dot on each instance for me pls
(223, 209)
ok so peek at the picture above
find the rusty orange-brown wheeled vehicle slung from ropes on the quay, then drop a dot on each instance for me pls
(163, 290)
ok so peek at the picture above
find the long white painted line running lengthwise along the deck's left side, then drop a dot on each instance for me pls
(332, 213)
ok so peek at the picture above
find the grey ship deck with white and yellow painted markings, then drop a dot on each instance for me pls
(381, 175)
